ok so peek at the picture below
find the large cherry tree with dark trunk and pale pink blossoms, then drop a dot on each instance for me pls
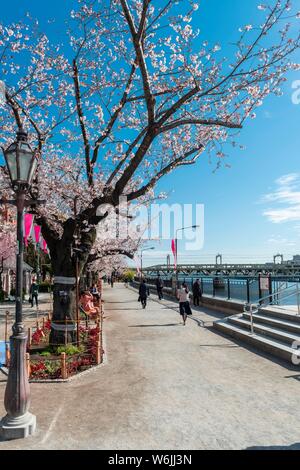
(134, 95)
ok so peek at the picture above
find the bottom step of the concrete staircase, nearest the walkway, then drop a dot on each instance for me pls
(261, 342)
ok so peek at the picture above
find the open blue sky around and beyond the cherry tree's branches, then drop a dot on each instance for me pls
(241, 203)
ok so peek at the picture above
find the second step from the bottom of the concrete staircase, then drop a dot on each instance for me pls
(271, 332)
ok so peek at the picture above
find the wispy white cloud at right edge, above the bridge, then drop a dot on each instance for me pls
(286, 198)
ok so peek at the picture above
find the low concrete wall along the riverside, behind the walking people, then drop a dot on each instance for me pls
(228, 307)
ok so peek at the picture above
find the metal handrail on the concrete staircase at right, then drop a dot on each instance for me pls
(273, 299)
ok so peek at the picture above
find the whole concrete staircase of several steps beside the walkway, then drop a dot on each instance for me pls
(275, 331)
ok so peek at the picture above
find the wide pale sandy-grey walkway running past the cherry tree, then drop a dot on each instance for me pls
(166, 386)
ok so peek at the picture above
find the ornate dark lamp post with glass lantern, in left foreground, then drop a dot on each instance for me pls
(21, 162)
